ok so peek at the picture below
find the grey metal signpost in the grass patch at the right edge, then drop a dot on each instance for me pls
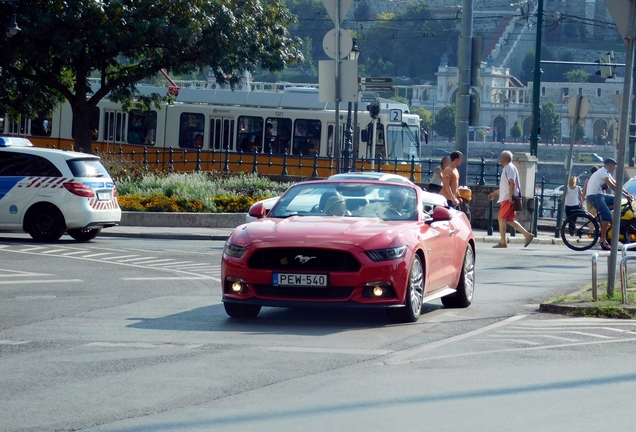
(623, 139)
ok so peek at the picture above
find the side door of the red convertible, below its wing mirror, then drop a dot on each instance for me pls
(438, 241)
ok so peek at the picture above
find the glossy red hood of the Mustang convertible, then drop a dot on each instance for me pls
(322, 231)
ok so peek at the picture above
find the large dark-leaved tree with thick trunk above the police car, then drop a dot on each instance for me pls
(63, 44)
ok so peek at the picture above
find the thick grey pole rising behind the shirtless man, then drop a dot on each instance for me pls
(464, 66)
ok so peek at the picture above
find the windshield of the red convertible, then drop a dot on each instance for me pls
(348, 199)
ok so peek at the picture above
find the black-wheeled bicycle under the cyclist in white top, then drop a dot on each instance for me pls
(581, 230)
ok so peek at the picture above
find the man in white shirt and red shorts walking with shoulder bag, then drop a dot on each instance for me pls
(508, 187)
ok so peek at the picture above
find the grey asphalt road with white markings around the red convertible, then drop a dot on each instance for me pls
(130, 335)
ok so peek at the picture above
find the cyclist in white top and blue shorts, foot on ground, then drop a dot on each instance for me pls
(602, 201)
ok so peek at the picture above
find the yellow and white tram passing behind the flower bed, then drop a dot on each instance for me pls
(271, 125)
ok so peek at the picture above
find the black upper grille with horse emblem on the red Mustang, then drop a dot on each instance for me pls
(306, 259)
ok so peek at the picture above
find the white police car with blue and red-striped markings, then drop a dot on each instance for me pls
(46, 192)
